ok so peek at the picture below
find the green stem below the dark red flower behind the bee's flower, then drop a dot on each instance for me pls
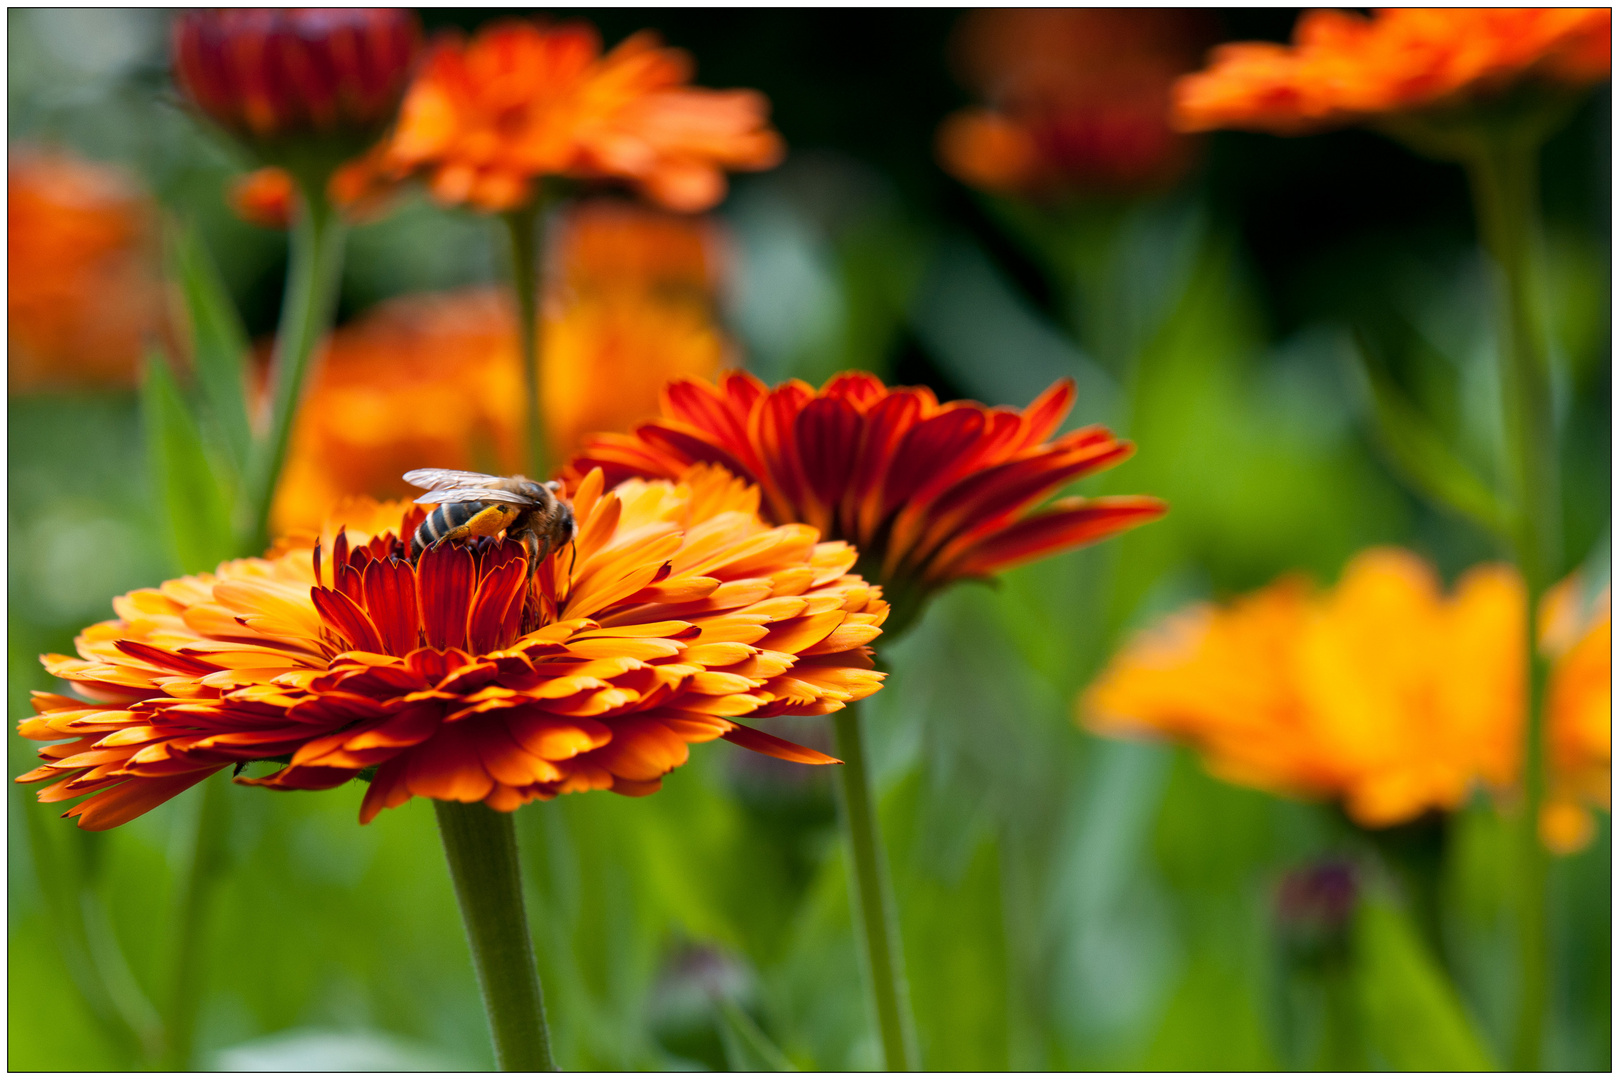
(872, 895)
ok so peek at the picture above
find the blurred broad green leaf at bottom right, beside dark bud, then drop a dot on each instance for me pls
(1413, 1014)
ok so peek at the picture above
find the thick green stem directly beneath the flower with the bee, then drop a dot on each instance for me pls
(482, 848)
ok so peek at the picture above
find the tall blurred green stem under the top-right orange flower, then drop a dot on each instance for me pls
(1505, 193)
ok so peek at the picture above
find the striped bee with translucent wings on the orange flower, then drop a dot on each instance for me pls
(475, 504)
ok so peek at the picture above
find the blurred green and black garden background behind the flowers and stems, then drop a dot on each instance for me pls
(1069, 903)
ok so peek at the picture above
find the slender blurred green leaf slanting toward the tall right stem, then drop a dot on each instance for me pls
(1422, 456)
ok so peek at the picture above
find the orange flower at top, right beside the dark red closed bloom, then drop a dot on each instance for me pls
(522, 101)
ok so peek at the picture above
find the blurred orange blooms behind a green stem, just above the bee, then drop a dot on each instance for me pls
(436, 380)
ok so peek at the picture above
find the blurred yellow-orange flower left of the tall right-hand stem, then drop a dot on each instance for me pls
(1382, 694)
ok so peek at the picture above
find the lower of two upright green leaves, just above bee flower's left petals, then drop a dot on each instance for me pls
(189, 490)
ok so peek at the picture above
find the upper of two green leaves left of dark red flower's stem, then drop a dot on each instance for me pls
(219, 346)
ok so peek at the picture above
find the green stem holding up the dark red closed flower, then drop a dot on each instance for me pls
(315, 271)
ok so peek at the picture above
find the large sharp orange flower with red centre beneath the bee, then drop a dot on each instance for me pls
(462, 676)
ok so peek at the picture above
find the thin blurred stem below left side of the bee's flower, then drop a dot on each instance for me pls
(208, 848)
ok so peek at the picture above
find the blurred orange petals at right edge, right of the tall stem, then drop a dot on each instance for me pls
(1579, 713)
